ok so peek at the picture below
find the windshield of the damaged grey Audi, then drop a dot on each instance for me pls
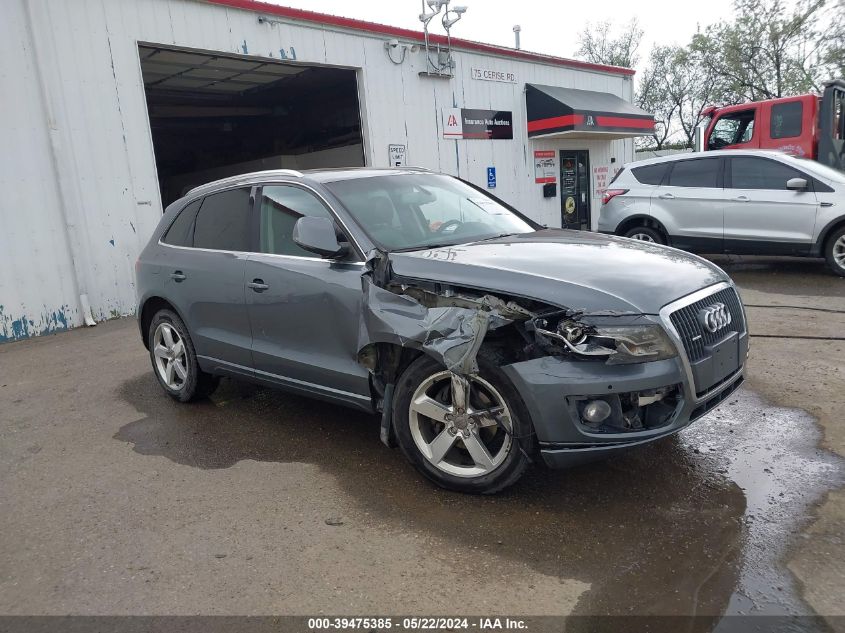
(413, 211)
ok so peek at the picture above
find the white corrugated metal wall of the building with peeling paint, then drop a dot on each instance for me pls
(80, 195)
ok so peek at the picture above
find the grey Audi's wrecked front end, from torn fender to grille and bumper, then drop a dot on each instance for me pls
(592, 382)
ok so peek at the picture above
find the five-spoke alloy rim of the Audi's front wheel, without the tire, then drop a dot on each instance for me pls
(460, 425)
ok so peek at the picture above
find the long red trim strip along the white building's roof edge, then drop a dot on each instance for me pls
(304, 15)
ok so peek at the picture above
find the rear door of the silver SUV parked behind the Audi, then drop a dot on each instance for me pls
(692, 201)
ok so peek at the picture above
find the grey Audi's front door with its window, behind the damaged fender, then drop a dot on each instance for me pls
(304, 310)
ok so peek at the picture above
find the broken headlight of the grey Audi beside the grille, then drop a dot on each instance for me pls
(618, 344)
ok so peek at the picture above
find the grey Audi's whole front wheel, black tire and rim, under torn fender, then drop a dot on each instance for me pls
(470, 434)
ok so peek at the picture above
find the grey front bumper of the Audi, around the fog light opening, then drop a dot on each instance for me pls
(550, 385)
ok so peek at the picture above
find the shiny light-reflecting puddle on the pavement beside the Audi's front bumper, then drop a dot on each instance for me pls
(772, 454)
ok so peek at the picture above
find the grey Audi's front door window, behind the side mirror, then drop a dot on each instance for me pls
(281, 207)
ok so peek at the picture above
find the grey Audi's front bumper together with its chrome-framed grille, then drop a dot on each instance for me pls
(582, 409)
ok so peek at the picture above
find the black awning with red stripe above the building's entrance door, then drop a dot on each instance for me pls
(554, 111)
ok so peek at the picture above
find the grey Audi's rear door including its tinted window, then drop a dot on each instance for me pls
(204, 271)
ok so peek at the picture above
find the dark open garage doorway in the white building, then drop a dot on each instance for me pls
(214, 116)
